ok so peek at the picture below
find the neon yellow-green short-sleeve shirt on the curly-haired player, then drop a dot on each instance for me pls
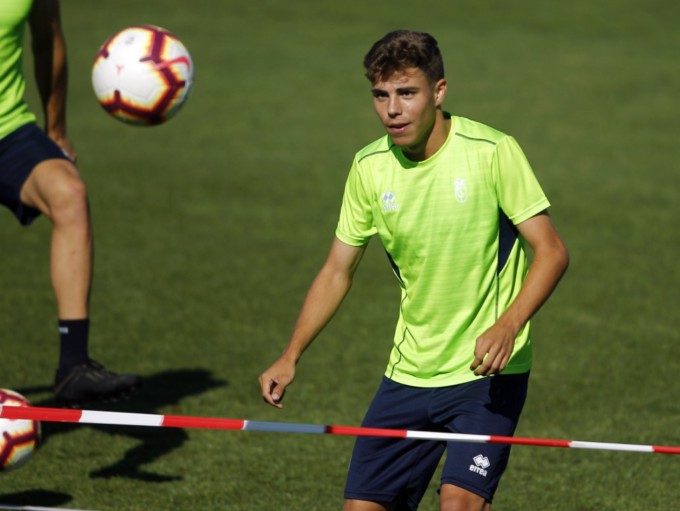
(448, 227)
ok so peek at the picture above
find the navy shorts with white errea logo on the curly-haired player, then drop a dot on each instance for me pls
(389, 470)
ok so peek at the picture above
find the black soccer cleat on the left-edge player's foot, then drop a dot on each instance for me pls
(92, 382)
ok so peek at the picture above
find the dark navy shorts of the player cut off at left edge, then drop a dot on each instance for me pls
(20, 152)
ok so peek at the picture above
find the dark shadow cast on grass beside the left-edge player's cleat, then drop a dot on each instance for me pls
(160, 390)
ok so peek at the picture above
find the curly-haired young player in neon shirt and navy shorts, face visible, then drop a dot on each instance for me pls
(453, 202)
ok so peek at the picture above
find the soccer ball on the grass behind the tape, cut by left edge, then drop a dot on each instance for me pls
(19, 438)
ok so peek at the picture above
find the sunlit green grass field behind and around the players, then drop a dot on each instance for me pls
(210, 228)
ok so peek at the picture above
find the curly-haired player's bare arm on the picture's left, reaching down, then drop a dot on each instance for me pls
(323, 299)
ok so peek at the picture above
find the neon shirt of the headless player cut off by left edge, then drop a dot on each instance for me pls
(14, 110)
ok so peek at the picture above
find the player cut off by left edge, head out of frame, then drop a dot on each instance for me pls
(38, 176)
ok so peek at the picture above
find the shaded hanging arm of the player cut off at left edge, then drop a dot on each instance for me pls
(51, 70)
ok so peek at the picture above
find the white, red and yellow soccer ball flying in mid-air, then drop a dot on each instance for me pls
(142, 75)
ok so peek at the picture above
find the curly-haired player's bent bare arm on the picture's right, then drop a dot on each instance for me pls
(495, 346)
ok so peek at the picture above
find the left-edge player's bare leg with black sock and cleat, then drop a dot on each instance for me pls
(56, 190)
